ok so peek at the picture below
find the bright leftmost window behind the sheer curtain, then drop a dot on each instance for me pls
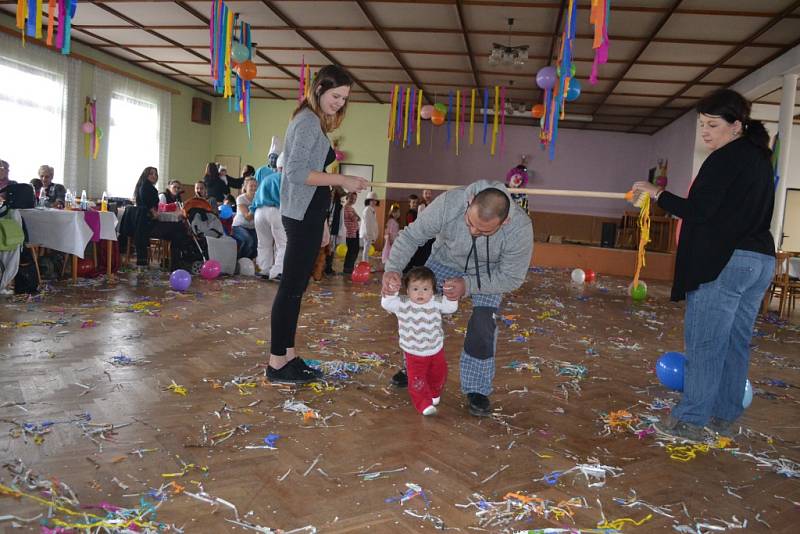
(32, 107)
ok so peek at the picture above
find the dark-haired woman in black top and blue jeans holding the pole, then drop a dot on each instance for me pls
(724, 263)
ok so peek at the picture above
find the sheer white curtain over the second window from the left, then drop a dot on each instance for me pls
(105, 86)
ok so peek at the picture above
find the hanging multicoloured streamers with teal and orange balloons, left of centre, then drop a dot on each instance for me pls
(232, 68)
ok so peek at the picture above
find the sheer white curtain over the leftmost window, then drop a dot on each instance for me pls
(31, 64)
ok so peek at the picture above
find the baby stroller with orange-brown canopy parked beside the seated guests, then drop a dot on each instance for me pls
(209, 236)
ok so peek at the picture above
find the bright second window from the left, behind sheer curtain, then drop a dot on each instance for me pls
(133, 142)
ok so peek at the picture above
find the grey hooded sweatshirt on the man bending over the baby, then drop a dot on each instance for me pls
(494, 264)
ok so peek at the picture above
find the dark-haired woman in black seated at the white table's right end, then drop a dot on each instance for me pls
(147, 224)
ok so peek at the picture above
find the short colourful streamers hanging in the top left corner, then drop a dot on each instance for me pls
(30, 21)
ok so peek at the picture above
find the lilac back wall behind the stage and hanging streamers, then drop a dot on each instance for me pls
(585, 160)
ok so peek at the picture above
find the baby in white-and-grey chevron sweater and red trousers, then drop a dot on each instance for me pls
(419, 318)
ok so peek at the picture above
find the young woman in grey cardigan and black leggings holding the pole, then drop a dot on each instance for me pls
(305, 198)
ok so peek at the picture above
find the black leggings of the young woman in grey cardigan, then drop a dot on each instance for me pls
(303, 239)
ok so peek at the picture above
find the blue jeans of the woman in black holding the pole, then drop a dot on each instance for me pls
(717, 329)
